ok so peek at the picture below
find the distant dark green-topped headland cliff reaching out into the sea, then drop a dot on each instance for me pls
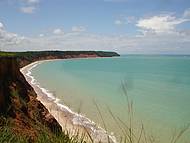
(25, 58)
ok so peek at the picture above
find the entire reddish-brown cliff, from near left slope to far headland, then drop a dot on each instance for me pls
(20, 110)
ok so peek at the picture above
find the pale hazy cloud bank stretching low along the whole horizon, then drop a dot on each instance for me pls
(168, 43)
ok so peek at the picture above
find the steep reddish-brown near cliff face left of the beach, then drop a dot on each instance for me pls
(19, 105)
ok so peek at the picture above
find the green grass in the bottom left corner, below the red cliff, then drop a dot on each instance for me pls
(8, 135)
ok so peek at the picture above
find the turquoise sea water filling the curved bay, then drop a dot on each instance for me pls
(159, 87)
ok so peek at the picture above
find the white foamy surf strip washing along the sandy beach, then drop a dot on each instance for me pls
(96, 132)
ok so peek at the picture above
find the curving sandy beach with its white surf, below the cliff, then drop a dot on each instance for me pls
(70, 121)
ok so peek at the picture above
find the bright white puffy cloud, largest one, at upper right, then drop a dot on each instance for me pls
(159, 24)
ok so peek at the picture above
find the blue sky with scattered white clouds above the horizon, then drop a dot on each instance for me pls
(124, 26)
